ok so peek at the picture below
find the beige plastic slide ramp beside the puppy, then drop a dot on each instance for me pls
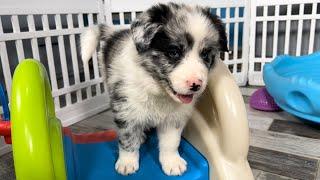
(219, 127)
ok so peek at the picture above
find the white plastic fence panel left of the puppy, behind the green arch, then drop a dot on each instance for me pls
(49, 31)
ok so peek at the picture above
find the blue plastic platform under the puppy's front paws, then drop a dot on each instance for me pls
(95, 161)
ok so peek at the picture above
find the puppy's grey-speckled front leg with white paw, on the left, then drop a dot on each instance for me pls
(130, 139)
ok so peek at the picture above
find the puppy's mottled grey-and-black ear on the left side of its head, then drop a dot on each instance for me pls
(148, 24)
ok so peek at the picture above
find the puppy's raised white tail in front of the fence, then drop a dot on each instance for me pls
(90, 39)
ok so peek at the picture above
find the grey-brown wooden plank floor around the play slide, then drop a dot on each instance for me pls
(281, 146)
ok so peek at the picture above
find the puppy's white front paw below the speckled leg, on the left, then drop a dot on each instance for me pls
(127, 165)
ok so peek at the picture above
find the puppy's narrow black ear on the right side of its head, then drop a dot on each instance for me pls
(218, 24)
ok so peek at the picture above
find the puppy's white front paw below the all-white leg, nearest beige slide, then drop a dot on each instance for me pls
(173, 164)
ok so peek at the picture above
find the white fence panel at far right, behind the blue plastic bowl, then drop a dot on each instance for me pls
(281, 27)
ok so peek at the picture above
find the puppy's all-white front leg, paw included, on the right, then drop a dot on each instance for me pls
(169, 157)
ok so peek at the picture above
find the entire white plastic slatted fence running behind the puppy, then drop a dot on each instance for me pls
(49, 31)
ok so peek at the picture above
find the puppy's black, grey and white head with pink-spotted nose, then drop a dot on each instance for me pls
(179, 45)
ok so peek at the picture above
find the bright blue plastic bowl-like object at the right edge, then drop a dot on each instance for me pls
(294, 83)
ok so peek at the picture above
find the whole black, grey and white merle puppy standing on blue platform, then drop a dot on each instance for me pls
(155, 71)
